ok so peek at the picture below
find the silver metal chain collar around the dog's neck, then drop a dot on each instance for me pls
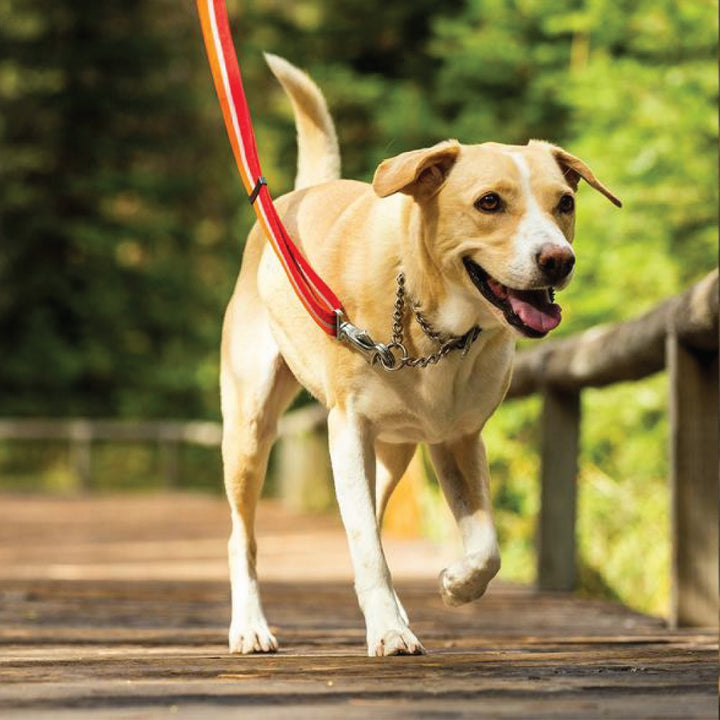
(447, 345)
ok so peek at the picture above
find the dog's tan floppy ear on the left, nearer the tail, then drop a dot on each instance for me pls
(419, 173)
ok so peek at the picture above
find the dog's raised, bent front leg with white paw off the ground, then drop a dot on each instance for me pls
(464, 477)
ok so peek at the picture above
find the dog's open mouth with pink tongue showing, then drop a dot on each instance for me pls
(532, 312)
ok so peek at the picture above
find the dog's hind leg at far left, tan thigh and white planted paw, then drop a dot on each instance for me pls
(256, 387)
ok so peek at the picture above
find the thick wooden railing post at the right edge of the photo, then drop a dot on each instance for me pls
(693, 377)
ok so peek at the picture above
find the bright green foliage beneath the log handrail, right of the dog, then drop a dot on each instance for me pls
(623, 529)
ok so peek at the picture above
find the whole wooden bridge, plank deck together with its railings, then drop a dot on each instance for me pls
(117, 607)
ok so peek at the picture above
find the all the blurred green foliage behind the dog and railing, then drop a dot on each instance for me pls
(122, 219)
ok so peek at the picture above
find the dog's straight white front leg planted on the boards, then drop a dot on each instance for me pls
(353, 460)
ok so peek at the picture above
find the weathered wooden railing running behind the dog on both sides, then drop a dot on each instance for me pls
(680, 334)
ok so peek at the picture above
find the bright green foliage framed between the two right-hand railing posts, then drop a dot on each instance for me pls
(623, 499)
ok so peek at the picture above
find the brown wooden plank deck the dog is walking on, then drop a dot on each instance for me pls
(117, 607)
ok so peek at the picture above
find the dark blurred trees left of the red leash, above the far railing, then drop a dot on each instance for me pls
(108, 265)
